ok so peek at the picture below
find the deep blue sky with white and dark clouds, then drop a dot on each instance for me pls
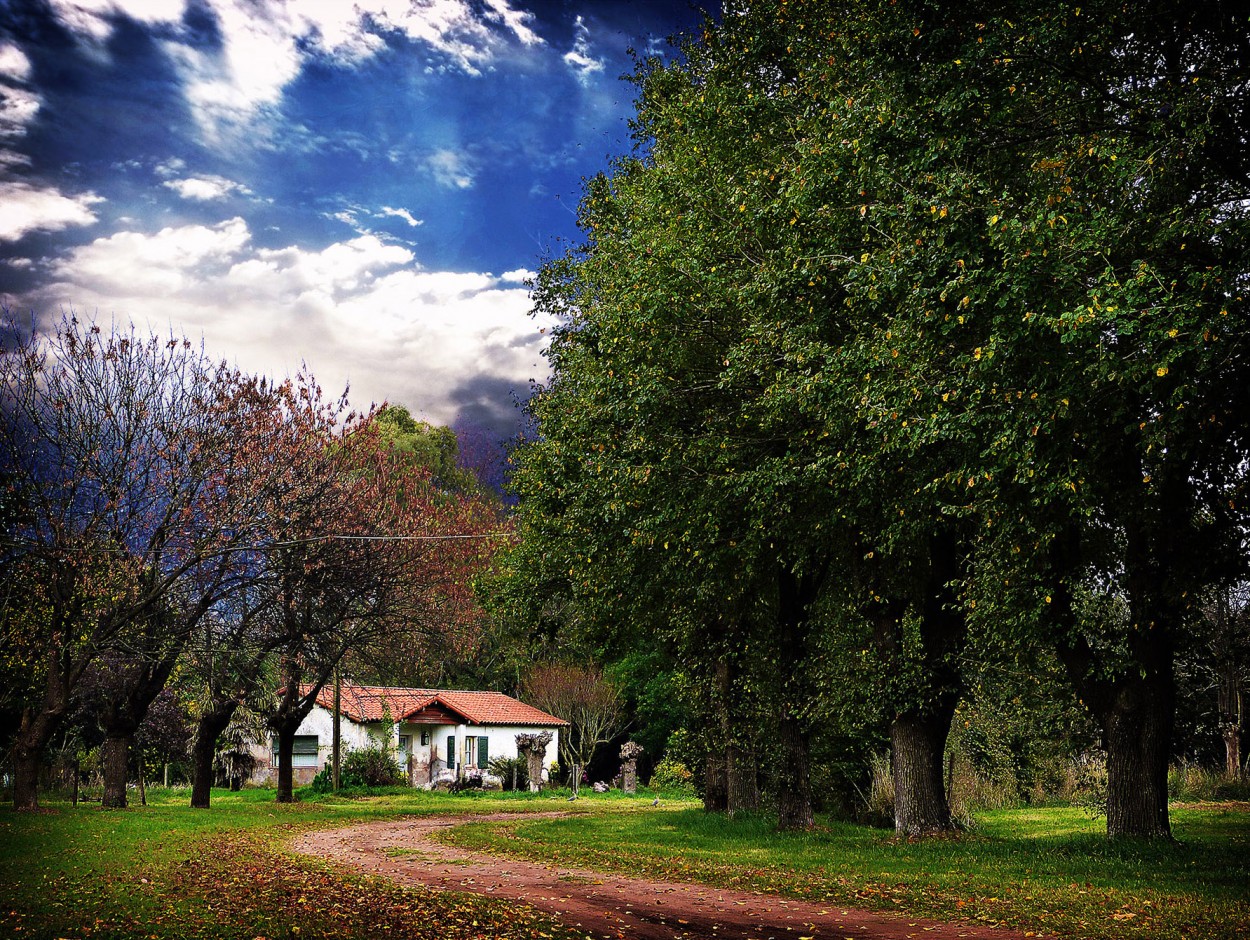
(363, 187)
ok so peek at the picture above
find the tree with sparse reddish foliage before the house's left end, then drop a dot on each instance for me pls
(367, 546)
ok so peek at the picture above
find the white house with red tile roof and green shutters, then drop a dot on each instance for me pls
(431, 731)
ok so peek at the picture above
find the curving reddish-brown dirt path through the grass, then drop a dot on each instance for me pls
(606, 904)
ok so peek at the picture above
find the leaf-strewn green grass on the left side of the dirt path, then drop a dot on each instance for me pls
(171, 872)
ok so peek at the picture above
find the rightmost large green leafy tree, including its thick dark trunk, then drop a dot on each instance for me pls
(1051, 273)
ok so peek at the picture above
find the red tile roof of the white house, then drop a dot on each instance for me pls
(371, 703)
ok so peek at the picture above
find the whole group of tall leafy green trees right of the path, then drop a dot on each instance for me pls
(914, 324)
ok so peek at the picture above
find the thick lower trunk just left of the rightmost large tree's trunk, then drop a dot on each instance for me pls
(918, 744)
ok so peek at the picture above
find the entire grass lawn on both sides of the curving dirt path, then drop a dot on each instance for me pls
(171, 872)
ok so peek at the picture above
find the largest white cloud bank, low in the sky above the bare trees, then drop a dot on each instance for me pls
(359, 311)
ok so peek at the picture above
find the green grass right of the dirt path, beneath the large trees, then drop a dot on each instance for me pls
(1047, 871)
